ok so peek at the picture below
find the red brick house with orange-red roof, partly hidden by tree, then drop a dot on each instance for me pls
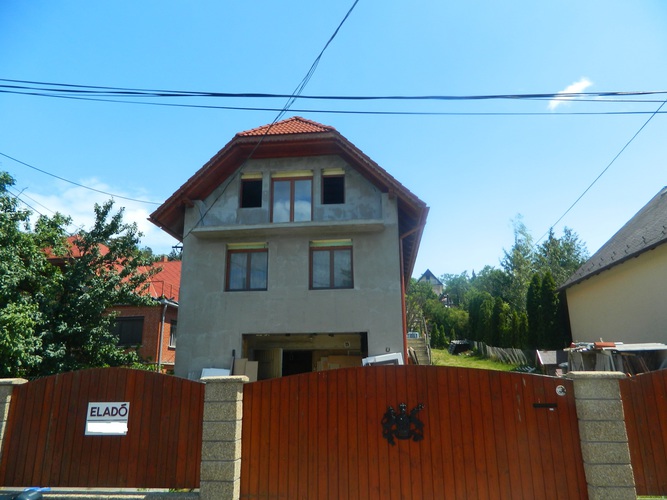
(151, 328)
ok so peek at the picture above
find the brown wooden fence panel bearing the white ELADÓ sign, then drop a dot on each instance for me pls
(45, 443)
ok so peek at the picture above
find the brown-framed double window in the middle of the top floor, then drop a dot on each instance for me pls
(292, 199)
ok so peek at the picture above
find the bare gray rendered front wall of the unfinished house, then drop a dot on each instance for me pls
(212, 322)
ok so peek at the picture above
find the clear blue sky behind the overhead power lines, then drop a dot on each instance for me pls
(476, 172)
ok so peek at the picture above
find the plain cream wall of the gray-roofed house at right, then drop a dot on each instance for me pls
(627, 303)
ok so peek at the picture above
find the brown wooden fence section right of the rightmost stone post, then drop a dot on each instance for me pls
(645, 407)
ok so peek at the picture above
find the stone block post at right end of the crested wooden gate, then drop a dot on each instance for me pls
(604, 439)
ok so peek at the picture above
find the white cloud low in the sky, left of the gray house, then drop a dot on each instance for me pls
(78, 203)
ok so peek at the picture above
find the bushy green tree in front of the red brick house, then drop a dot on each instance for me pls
(105, 268)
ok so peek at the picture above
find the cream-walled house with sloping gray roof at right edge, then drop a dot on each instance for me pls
(618, 295)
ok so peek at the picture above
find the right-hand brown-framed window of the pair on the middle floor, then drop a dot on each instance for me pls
(331, 264)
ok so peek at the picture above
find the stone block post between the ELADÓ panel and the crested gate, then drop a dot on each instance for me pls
(221, 438)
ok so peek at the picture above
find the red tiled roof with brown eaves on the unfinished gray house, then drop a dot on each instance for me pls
(294, 137)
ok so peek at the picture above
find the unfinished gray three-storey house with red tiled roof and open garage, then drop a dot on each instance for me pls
(297, 248)
